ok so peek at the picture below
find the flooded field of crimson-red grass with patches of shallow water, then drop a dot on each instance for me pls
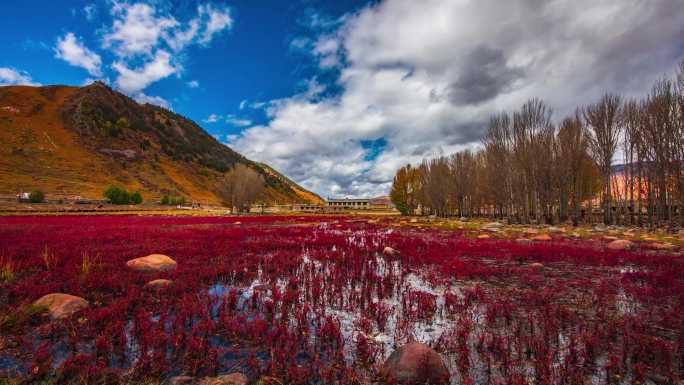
(314, 300)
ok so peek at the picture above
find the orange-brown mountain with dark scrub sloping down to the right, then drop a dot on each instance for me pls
(76, 141)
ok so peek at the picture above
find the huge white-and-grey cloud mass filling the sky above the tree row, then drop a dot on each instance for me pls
(422, 78)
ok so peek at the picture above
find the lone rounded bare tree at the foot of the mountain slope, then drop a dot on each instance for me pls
(240, 187)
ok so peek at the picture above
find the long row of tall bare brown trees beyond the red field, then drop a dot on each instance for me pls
(621, 160)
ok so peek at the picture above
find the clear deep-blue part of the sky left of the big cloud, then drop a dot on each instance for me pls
(253, 59)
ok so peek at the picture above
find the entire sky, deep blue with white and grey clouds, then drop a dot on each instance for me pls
(339, 94)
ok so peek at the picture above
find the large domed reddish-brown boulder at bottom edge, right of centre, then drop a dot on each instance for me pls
(415, 363)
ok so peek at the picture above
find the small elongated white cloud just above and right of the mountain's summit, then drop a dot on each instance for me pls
(134, 80)
